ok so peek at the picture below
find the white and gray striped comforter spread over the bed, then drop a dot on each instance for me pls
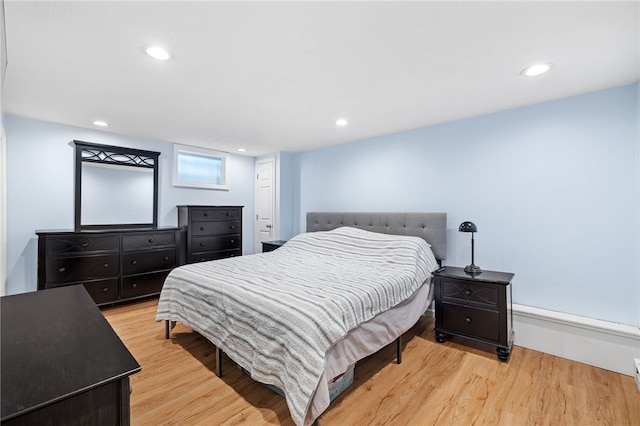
(276, 314)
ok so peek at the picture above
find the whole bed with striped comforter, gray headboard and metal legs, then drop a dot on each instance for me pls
(296, 317)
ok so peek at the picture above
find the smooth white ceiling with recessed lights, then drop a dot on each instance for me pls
(271, 76)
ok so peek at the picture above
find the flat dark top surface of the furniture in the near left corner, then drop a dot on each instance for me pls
(54, 344)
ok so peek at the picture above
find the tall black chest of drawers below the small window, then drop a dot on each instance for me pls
(210, 232)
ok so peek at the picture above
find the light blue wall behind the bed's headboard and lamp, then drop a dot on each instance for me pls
(553, 188)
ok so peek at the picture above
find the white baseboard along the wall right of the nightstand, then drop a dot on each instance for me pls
(603, 344)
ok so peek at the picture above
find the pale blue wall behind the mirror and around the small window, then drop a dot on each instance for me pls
(40, 188)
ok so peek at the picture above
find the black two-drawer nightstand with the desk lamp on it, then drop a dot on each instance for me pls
(475, 306)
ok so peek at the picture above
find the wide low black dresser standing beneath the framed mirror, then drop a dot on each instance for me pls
(114, 266)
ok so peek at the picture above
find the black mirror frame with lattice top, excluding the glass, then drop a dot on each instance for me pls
(113, 155)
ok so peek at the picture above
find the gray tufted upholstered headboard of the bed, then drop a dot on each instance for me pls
(430, 226)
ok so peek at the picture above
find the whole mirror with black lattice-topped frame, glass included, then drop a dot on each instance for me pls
(116, 187)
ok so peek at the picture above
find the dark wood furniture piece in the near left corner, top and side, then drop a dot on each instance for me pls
(61, 362)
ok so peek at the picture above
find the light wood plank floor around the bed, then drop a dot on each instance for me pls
(444, 384)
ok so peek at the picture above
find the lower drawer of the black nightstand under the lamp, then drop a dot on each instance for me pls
(473, 322)
